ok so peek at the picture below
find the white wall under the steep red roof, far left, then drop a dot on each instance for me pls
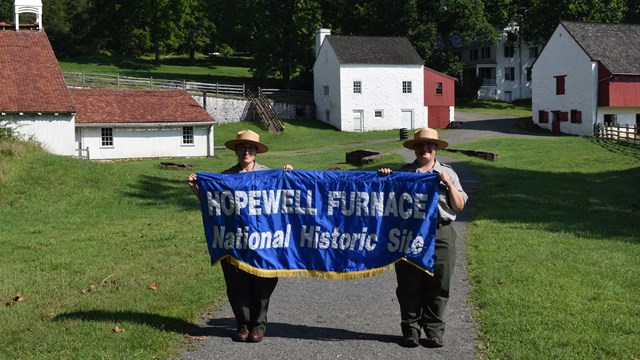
(53, 132)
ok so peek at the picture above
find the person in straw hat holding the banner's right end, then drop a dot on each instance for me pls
(423, 297)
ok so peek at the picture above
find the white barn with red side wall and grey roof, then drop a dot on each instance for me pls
(588, 74)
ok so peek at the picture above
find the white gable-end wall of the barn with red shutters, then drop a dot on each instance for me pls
(563, 56)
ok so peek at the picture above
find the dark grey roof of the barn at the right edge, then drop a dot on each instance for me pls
(616, 46)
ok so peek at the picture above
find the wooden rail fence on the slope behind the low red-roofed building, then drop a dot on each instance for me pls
(90, 79)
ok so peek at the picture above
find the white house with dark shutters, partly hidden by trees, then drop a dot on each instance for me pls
(501, 70)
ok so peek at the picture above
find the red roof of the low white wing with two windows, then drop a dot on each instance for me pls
(126, 106)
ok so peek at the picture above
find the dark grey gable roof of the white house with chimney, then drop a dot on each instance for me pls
(374, 50)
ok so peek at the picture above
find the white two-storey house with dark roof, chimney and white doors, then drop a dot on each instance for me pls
(364, 83)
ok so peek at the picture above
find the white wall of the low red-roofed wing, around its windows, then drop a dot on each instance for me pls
(139, 142)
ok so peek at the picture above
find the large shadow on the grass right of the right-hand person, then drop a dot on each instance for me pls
(596, 206)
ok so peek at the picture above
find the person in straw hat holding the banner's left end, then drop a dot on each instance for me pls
(248, 294)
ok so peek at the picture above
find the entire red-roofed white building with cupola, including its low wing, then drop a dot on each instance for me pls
(95, 123)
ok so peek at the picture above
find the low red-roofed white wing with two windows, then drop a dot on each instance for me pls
(123, 124)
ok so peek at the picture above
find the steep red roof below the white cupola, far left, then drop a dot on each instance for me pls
(30, 77)
